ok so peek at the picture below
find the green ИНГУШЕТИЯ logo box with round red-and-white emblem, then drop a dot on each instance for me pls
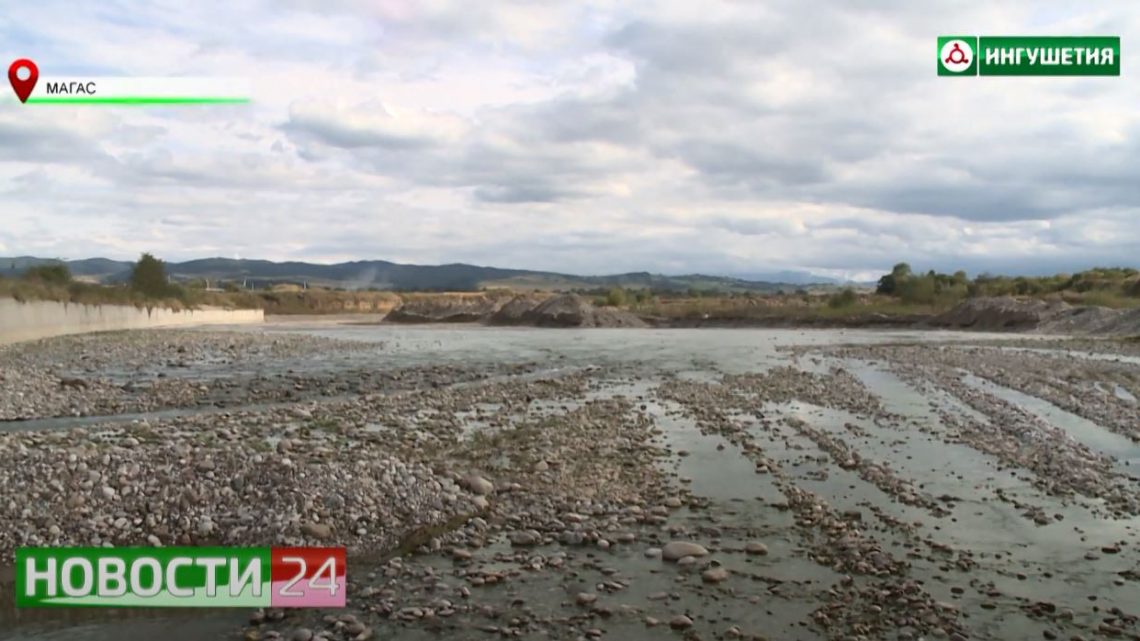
(1030, 55)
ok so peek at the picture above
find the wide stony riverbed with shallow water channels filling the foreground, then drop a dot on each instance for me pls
(614, 484)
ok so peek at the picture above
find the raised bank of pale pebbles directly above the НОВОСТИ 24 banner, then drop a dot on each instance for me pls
(141, 486)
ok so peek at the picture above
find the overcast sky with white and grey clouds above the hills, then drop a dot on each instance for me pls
(593, 137)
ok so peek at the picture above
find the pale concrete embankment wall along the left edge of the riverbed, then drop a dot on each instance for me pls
(40, 320)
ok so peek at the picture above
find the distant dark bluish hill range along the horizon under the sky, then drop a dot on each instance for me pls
(385, 275)
